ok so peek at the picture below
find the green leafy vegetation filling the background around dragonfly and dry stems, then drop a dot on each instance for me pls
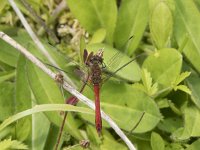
(155, 99)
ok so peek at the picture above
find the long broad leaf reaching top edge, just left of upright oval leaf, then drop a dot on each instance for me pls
(132, 21)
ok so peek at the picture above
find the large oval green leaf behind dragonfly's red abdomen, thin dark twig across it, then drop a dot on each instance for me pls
(125, 104)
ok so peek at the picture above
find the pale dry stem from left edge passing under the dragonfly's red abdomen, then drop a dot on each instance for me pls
(66, 86)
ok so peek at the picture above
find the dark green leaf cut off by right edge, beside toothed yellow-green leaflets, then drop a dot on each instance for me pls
(193, 83)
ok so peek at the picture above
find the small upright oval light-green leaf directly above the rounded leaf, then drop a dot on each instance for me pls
(161, 25)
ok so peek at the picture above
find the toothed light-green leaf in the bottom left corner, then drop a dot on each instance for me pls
(12, 144)
